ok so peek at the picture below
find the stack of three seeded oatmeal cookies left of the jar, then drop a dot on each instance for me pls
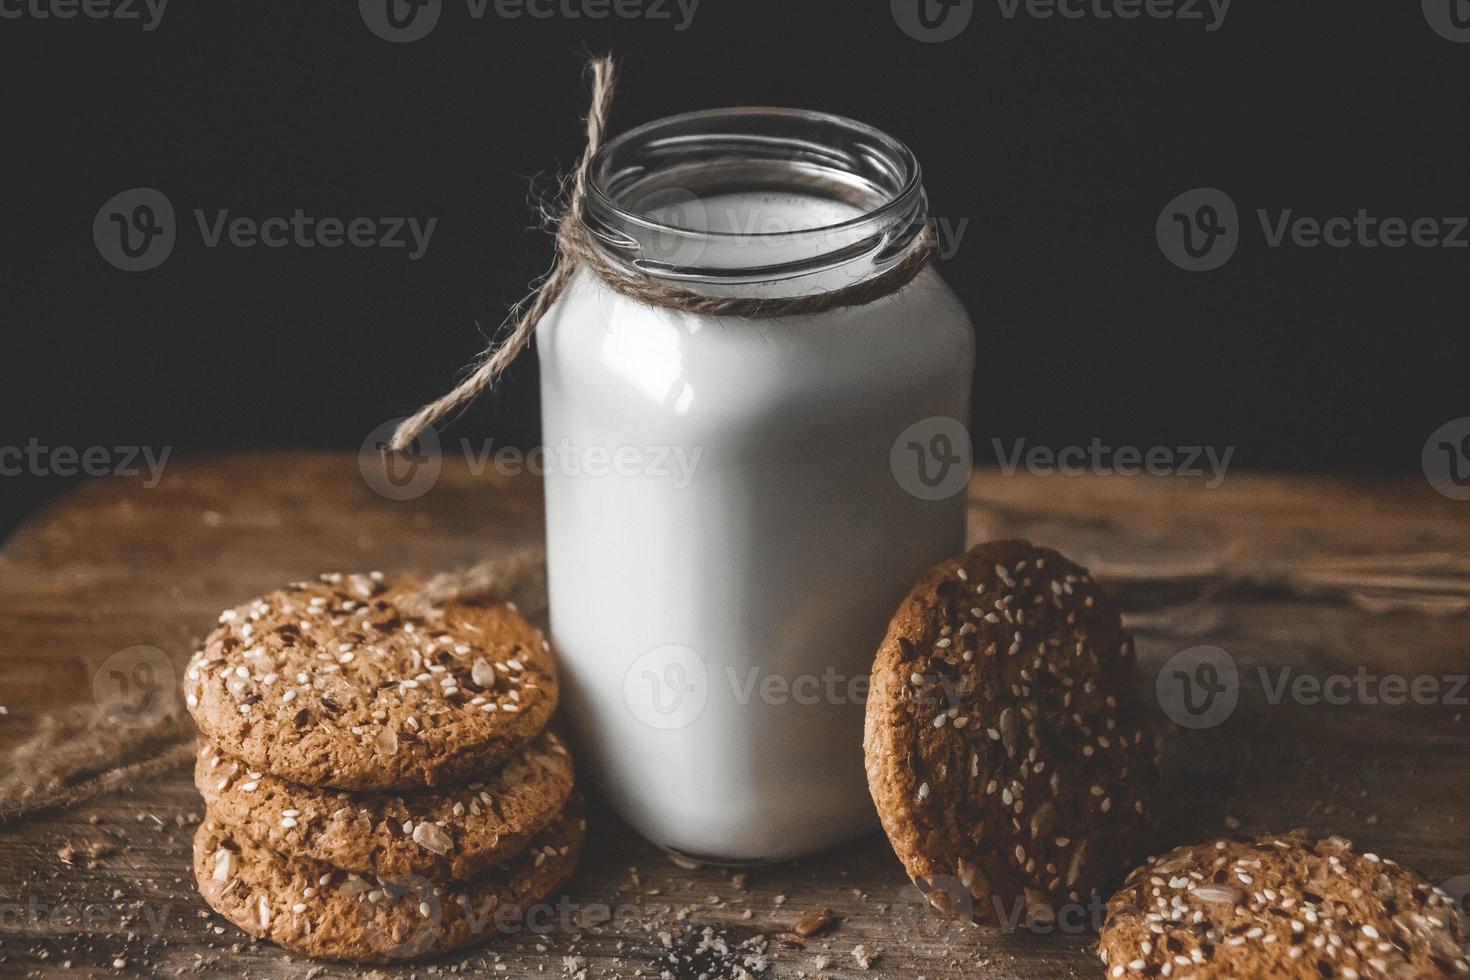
(379, 778)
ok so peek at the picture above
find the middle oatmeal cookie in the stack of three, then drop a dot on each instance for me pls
(445, 834)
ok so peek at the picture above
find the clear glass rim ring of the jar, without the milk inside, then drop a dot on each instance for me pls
(822, 155)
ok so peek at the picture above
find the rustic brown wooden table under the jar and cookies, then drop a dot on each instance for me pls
(1324, 578)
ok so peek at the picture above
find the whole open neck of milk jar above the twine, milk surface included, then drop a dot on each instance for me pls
(780, 202)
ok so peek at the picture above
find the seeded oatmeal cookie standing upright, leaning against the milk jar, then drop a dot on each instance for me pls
(1006, 743)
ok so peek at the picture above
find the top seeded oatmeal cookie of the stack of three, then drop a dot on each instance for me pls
(355, 682)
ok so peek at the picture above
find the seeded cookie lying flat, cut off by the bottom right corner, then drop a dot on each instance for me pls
(1283, 907)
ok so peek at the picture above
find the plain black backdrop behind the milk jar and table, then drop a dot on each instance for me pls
(1059, 140)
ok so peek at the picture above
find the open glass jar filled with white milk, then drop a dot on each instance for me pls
(733, 508)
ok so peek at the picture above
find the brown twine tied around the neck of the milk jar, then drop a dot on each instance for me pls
(577, 249)
